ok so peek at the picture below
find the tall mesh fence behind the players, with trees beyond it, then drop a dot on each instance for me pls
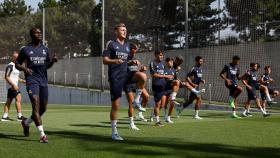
(215, 29)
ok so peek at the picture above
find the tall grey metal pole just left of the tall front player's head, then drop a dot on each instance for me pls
(103, 42)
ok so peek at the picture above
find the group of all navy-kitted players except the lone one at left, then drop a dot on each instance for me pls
(127, 73)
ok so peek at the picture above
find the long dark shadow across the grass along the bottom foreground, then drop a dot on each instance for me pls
(144, 146)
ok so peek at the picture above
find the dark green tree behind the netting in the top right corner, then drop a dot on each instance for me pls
(254, 19)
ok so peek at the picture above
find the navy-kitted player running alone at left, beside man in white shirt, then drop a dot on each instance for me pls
(36, 58)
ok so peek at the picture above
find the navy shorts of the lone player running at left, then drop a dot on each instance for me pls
(41, 91)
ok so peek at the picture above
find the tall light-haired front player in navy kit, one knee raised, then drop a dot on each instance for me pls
(115, 56)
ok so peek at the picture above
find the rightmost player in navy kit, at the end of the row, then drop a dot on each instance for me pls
(266, 80)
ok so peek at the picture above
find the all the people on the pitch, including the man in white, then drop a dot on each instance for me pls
(126, 73)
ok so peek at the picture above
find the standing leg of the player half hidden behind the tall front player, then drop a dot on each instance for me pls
(130, 99)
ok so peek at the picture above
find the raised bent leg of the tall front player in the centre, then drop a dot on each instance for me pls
(140, 79)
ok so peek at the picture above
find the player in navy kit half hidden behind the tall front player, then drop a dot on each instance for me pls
(134, 66)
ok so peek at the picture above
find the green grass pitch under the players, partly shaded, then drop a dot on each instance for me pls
(84, 131)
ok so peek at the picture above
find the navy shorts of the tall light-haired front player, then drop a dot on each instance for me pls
(116, 87)
